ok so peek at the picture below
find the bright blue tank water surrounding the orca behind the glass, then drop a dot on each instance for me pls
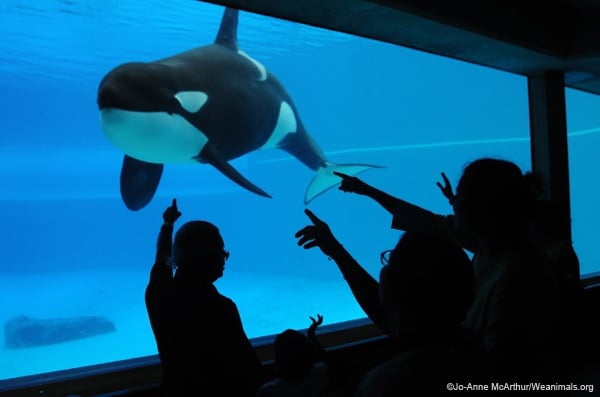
(70, 247)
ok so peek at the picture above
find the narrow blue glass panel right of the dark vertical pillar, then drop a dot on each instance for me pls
(583, 120)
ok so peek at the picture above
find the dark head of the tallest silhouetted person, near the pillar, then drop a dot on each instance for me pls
(495, 200)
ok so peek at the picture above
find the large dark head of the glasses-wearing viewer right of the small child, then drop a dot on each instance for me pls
(426, 288)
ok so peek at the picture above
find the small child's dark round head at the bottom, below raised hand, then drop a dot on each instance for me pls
(294, 354)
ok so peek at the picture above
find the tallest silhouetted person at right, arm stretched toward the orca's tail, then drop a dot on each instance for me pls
(516, 225)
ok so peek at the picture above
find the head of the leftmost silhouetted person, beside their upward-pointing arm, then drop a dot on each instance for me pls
(199, 249)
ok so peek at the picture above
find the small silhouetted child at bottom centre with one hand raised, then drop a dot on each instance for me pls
(300, 365)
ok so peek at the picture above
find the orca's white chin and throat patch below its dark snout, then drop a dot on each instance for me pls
(154, 137)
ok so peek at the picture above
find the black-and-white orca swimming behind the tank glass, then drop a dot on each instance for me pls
(207, 105)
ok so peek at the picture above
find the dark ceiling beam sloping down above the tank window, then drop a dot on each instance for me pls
(517, 36)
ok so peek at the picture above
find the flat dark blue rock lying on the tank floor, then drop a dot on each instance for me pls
(22, 331)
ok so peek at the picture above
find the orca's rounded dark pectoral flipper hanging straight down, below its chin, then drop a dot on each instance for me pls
(139, 181)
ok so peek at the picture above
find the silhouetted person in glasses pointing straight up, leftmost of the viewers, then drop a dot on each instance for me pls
(201, 341)
